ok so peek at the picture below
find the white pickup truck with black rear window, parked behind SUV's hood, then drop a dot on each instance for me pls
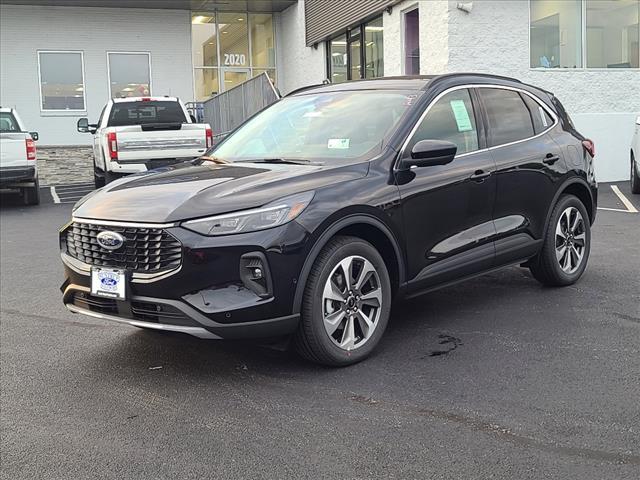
(137, 134)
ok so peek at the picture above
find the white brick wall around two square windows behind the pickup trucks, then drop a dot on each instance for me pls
(24, 30)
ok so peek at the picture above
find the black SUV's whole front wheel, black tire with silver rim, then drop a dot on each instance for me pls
(333, 330)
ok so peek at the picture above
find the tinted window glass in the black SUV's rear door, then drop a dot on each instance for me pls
(508, 116)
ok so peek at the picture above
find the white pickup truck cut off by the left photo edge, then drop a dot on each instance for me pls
(18, 157)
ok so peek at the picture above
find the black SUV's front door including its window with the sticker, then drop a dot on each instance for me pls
(447, 209)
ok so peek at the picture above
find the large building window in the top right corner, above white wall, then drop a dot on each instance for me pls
(584, 33)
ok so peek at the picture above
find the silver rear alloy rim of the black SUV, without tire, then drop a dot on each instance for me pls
(570, 240)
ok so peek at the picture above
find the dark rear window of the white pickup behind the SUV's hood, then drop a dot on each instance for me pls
(147, 112)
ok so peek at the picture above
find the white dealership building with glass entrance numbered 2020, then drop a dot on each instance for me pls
(63, 59)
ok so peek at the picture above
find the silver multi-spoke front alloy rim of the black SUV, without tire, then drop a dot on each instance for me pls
(352, 302)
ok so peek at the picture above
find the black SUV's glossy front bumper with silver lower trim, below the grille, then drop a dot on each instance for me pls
(205, 296)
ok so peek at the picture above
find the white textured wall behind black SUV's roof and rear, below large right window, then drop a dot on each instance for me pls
(494, 38)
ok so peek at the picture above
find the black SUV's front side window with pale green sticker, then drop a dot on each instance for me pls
(452, 119)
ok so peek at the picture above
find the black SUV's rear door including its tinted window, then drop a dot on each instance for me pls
(528, 165)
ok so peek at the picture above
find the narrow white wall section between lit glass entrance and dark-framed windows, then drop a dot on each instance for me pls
(298, 65)
